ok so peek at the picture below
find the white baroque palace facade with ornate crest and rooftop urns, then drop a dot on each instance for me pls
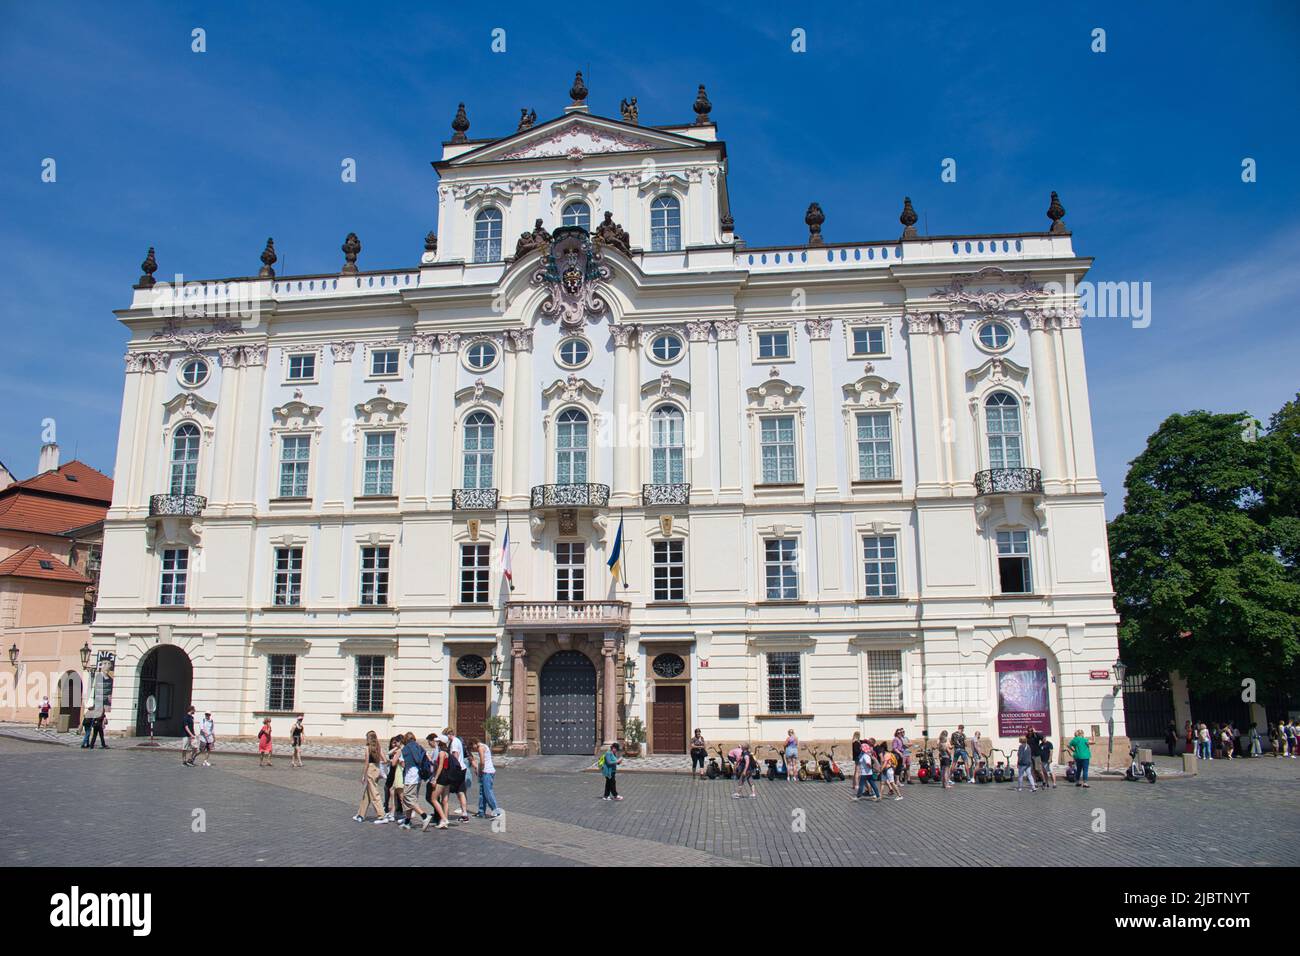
(855, 482)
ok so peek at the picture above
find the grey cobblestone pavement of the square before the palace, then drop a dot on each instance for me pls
(122, 807)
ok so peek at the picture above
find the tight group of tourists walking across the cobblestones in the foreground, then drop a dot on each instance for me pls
(443, 767)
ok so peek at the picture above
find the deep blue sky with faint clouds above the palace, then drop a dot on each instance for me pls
(205, 155)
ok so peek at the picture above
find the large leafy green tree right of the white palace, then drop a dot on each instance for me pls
(1203, 583)
